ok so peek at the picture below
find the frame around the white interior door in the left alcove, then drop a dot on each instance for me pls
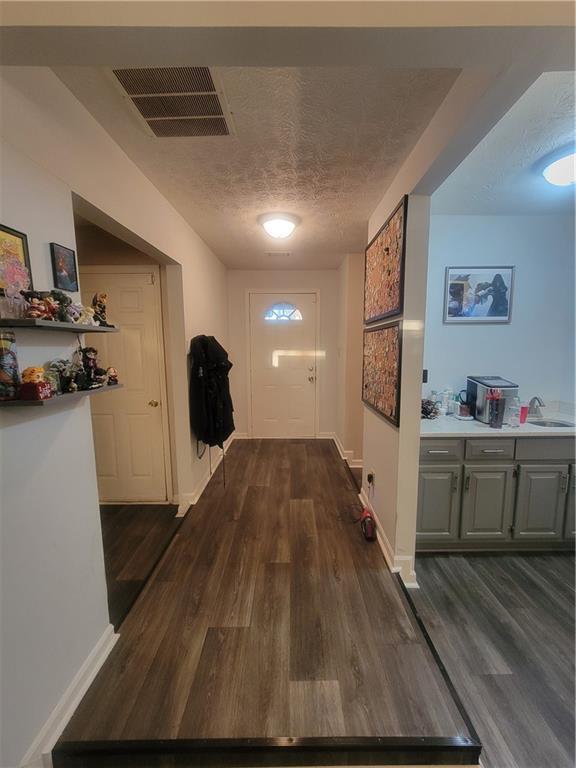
(156, 271)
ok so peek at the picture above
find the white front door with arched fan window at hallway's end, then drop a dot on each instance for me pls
(283, 364)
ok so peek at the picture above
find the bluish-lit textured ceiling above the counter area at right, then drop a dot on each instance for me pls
(503, 174)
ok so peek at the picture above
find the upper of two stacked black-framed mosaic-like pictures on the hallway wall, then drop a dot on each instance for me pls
(384, 268)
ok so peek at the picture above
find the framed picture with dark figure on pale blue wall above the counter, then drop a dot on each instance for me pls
(478, 294)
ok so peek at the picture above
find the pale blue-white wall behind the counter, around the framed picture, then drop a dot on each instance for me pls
(536, 350)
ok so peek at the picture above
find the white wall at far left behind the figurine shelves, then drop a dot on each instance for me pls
(53, 599)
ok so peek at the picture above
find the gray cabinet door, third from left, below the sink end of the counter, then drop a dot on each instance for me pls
(541, 501)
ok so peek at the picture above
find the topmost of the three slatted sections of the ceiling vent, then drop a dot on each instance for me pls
(137, 82)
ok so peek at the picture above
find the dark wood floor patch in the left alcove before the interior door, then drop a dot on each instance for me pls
(134, 536)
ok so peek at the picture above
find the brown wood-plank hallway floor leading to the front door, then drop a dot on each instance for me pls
(269, 616)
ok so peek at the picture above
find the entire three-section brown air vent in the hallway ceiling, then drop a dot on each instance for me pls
(177, 101)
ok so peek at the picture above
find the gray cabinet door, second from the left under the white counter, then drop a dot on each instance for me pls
(487, 502)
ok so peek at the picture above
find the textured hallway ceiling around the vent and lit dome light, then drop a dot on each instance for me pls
(321, 143)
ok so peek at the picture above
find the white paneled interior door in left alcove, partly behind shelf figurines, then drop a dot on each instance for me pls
(128, 424)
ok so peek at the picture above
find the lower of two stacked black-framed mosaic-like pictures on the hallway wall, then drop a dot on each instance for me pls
(381, 370)
